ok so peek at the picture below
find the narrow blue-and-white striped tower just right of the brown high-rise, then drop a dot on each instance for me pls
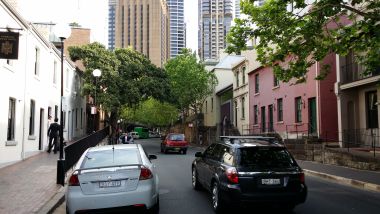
(177, 26)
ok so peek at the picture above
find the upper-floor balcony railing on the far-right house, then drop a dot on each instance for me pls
(354, 72)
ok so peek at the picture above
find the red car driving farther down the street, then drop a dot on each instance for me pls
(174, 142)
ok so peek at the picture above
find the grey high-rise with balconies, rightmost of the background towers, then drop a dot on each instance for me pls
(215, 17)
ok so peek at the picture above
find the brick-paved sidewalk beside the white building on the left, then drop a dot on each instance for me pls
(27, 185)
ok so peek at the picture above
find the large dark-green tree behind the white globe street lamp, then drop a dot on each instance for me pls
(128, 77)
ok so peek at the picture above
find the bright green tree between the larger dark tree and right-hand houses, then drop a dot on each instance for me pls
(190, 82)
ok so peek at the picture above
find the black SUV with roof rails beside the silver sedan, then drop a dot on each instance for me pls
(249, 170)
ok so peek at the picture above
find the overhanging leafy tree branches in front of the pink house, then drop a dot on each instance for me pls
(304, 33)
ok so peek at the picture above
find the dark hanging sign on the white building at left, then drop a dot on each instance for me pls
(9, 45)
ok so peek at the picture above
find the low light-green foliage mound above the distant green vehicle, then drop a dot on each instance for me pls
(151, 113)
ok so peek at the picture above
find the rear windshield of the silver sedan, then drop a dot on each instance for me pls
(111, 157)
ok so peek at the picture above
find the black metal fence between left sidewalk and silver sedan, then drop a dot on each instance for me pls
(75, 150)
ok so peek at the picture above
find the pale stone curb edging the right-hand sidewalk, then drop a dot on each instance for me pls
(347, 181)
